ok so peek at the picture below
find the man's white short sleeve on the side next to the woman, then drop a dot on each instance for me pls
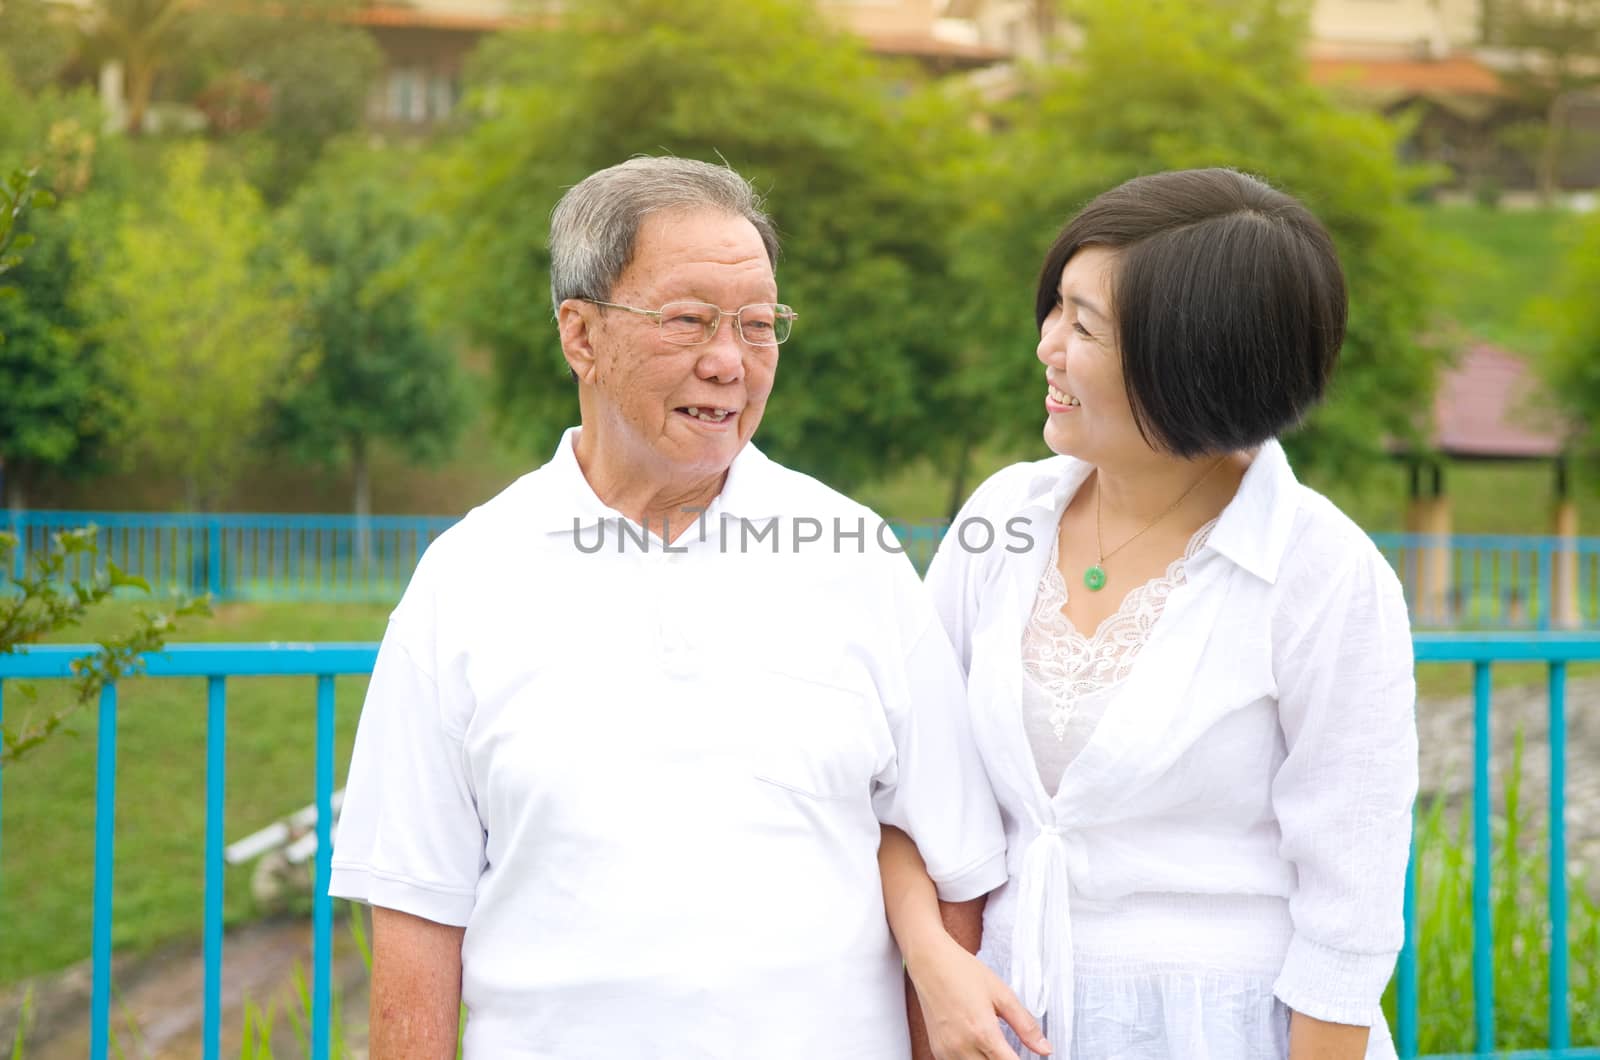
(940, 795)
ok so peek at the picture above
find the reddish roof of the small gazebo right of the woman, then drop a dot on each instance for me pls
(1484, 409)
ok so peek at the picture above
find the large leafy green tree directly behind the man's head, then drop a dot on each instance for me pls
(798, 108)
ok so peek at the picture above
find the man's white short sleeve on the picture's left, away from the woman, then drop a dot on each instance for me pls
(410, 837)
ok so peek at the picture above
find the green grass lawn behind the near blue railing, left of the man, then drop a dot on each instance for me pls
(47, 817)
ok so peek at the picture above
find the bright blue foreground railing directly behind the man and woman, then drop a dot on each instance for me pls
(217, 664)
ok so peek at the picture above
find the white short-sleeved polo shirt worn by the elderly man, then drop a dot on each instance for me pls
(649, 782)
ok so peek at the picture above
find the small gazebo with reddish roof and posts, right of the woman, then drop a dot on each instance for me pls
(1489, 409)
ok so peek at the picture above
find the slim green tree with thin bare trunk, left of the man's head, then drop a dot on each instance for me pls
(382, 375)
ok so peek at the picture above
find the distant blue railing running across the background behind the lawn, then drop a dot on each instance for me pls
(1460, 582)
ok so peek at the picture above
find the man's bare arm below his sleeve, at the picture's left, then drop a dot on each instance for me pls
(417, 987)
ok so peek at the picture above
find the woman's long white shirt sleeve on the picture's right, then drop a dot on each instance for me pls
(1345, 792)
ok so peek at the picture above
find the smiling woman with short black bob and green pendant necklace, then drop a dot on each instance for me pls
(1194, 689)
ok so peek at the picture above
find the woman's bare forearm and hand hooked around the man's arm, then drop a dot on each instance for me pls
(953, 998)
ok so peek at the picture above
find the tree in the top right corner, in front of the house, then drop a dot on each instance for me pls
(1558, 58)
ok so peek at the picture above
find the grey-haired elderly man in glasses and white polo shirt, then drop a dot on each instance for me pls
(638, 723)
